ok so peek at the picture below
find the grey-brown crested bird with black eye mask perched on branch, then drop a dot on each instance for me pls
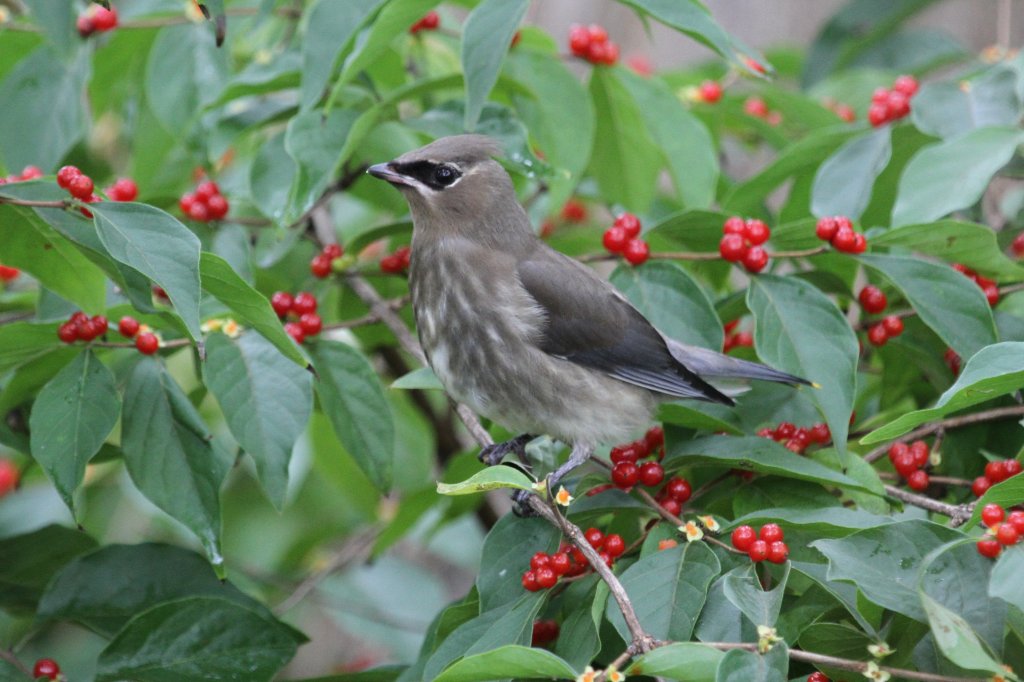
(524, 334)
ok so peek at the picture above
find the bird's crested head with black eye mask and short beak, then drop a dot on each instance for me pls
(453, 183)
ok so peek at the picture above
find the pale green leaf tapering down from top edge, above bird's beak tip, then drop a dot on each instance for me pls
(331, 27)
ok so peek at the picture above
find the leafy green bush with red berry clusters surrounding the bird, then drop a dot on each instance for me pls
(223, 459)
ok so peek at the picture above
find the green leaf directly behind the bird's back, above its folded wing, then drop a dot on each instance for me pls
(672, 301)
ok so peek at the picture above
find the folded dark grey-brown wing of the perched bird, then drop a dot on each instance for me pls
(590, 324)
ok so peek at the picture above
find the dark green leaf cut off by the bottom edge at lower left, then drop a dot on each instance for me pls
(198, 638)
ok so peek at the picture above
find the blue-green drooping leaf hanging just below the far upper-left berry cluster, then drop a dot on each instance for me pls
(158, 246)
